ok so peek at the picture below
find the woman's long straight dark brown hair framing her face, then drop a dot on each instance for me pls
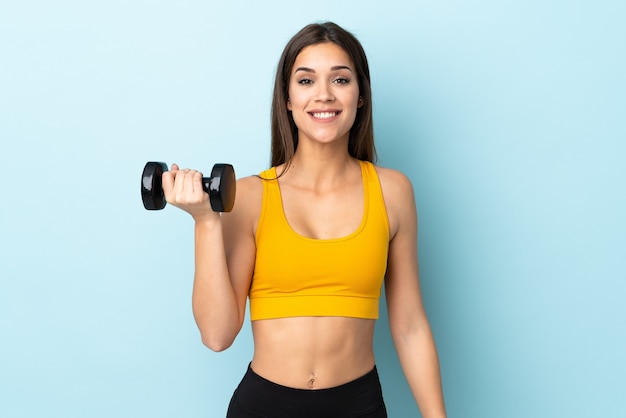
(284, 130)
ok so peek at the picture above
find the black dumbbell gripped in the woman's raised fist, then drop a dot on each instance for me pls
(220, 186)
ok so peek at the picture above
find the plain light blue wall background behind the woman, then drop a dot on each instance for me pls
(508, 116)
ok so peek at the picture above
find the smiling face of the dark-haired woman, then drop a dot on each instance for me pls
(323, 93)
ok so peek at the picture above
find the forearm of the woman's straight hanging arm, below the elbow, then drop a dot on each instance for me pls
(418, 357)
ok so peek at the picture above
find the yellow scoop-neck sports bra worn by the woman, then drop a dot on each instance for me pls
(300, 276)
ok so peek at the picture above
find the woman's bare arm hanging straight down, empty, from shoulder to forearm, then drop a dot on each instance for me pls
(408, 322)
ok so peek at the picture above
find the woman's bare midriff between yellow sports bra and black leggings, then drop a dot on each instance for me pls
(313, 352)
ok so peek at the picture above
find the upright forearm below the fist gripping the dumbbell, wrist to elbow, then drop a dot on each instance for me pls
(214, 301)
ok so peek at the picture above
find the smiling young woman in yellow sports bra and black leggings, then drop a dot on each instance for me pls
(310, 242)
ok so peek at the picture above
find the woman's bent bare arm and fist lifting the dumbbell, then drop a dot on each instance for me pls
(224, 253)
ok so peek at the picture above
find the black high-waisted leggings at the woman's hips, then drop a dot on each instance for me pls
(256, 397)
